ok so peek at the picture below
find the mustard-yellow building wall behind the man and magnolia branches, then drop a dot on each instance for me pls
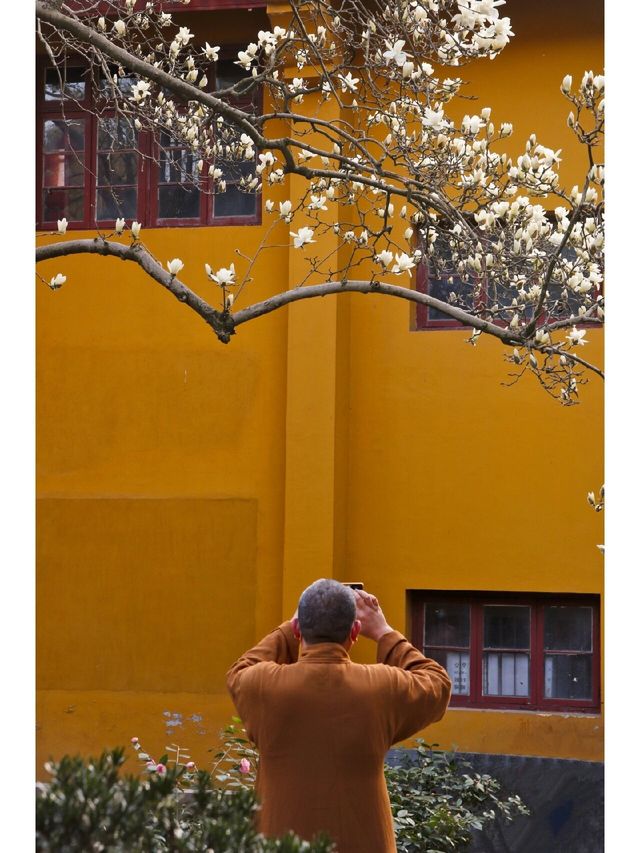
(188, 491)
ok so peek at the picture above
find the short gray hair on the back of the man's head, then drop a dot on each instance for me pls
(326, 612)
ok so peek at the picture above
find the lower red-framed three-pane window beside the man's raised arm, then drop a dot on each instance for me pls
(528, 652)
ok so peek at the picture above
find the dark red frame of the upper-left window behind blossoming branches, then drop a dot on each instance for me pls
(148, 171)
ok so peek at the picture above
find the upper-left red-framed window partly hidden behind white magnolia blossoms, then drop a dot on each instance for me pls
(93, 166)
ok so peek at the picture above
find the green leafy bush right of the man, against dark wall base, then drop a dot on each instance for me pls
(436, 805)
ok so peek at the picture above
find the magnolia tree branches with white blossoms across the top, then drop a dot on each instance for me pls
(357, 99)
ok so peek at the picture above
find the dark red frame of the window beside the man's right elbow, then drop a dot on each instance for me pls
(536, 700)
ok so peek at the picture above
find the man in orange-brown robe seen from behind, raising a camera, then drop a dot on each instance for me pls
(323, 724)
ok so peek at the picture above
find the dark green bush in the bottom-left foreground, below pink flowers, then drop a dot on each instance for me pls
(88, 806)
